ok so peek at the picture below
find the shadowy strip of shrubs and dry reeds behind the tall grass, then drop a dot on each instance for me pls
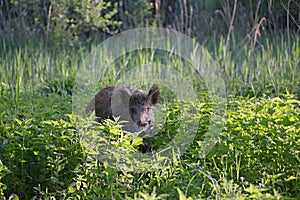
(79, 20)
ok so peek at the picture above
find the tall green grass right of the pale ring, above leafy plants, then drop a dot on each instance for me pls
(272, 68)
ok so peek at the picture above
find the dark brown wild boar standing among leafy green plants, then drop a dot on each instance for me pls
(131, 105)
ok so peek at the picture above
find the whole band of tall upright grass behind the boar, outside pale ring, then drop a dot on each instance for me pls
(273, 67)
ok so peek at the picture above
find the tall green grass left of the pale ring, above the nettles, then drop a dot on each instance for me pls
(24, 67)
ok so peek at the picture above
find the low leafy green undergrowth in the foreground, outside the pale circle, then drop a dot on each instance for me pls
(257, 155)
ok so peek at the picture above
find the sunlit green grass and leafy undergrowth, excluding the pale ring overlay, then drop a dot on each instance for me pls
(256, 155)
